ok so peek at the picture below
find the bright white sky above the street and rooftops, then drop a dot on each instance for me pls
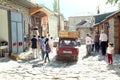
(79, 7)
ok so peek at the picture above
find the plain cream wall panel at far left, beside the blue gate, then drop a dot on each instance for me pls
(3, 25)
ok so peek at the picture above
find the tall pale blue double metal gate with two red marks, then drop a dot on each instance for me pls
(16, 32)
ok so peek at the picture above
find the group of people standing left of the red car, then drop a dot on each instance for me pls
(42, 45)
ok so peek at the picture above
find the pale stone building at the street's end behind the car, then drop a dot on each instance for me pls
(83, 24)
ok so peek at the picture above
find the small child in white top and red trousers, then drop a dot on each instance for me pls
(110, 52)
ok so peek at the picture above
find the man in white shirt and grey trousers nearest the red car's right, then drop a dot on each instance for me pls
(88, 42)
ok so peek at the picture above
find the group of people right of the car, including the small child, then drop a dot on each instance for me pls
(100, 41)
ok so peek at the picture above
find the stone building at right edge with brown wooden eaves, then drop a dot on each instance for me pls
(111, 25)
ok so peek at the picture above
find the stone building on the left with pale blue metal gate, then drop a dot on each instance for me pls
(17, 18)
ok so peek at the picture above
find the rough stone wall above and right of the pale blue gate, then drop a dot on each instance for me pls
(9, 5)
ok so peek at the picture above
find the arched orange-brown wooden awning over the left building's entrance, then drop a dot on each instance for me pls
(39, 9)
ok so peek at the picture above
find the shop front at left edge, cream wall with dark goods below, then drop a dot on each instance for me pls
(4, 40)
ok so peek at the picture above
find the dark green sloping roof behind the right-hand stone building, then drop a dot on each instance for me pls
(101, 17)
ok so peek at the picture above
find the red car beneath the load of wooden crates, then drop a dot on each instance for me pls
(67, 48)
